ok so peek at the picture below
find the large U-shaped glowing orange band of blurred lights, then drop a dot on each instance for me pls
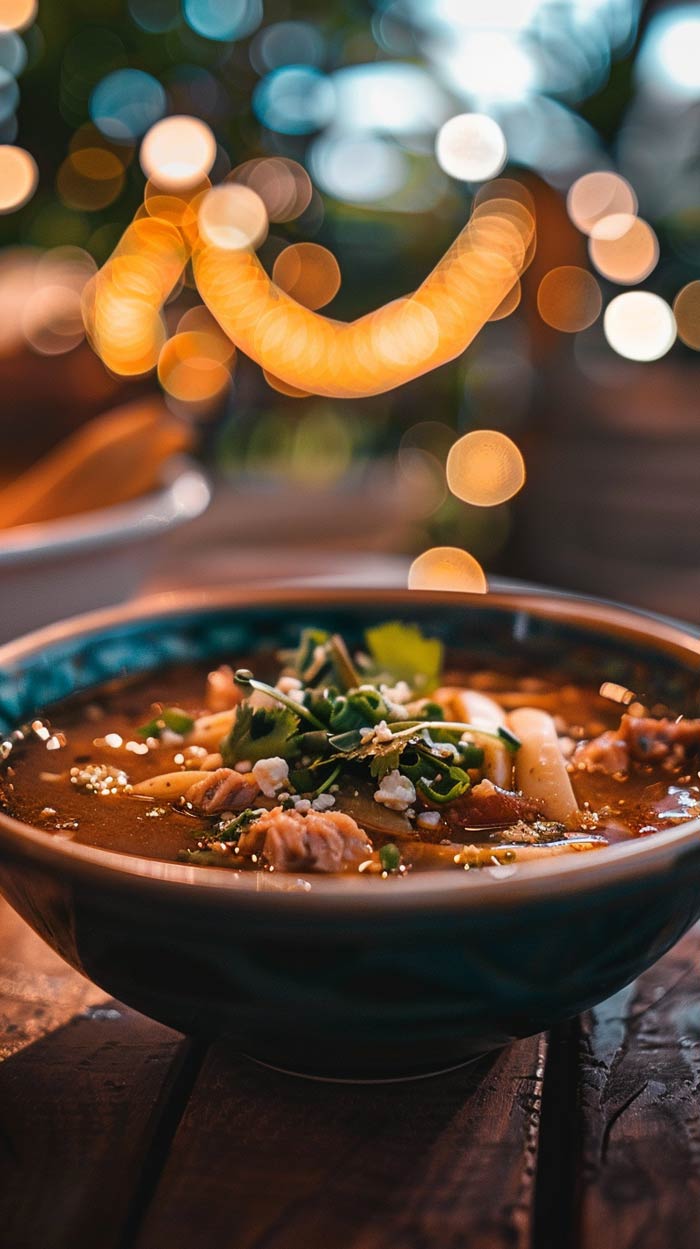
(384, 349)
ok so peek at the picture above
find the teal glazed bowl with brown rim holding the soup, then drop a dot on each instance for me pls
(356, 979)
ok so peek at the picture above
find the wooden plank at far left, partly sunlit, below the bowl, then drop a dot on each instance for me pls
(83, 1086)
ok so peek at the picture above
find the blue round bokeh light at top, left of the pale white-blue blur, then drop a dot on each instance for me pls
(294, 101)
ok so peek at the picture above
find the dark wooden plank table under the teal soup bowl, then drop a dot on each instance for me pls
(117, 1132)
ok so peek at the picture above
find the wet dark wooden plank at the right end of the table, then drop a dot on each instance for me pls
(641, 1107)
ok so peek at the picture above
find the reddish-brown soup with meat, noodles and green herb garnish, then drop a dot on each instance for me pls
(379, 764)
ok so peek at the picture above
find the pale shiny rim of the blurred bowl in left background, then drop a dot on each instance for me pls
(184, 495)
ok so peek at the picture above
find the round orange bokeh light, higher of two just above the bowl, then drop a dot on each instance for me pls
(486, 468)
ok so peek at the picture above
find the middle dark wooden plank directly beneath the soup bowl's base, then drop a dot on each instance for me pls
(263, 1160)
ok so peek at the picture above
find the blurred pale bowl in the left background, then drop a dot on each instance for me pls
(56, 569)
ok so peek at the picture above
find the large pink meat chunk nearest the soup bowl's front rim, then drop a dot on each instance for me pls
(312, 842)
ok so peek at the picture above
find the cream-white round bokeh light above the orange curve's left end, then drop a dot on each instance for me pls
(178, 153)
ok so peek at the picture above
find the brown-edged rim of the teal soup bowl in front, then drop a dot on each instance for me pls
(502, 887)
